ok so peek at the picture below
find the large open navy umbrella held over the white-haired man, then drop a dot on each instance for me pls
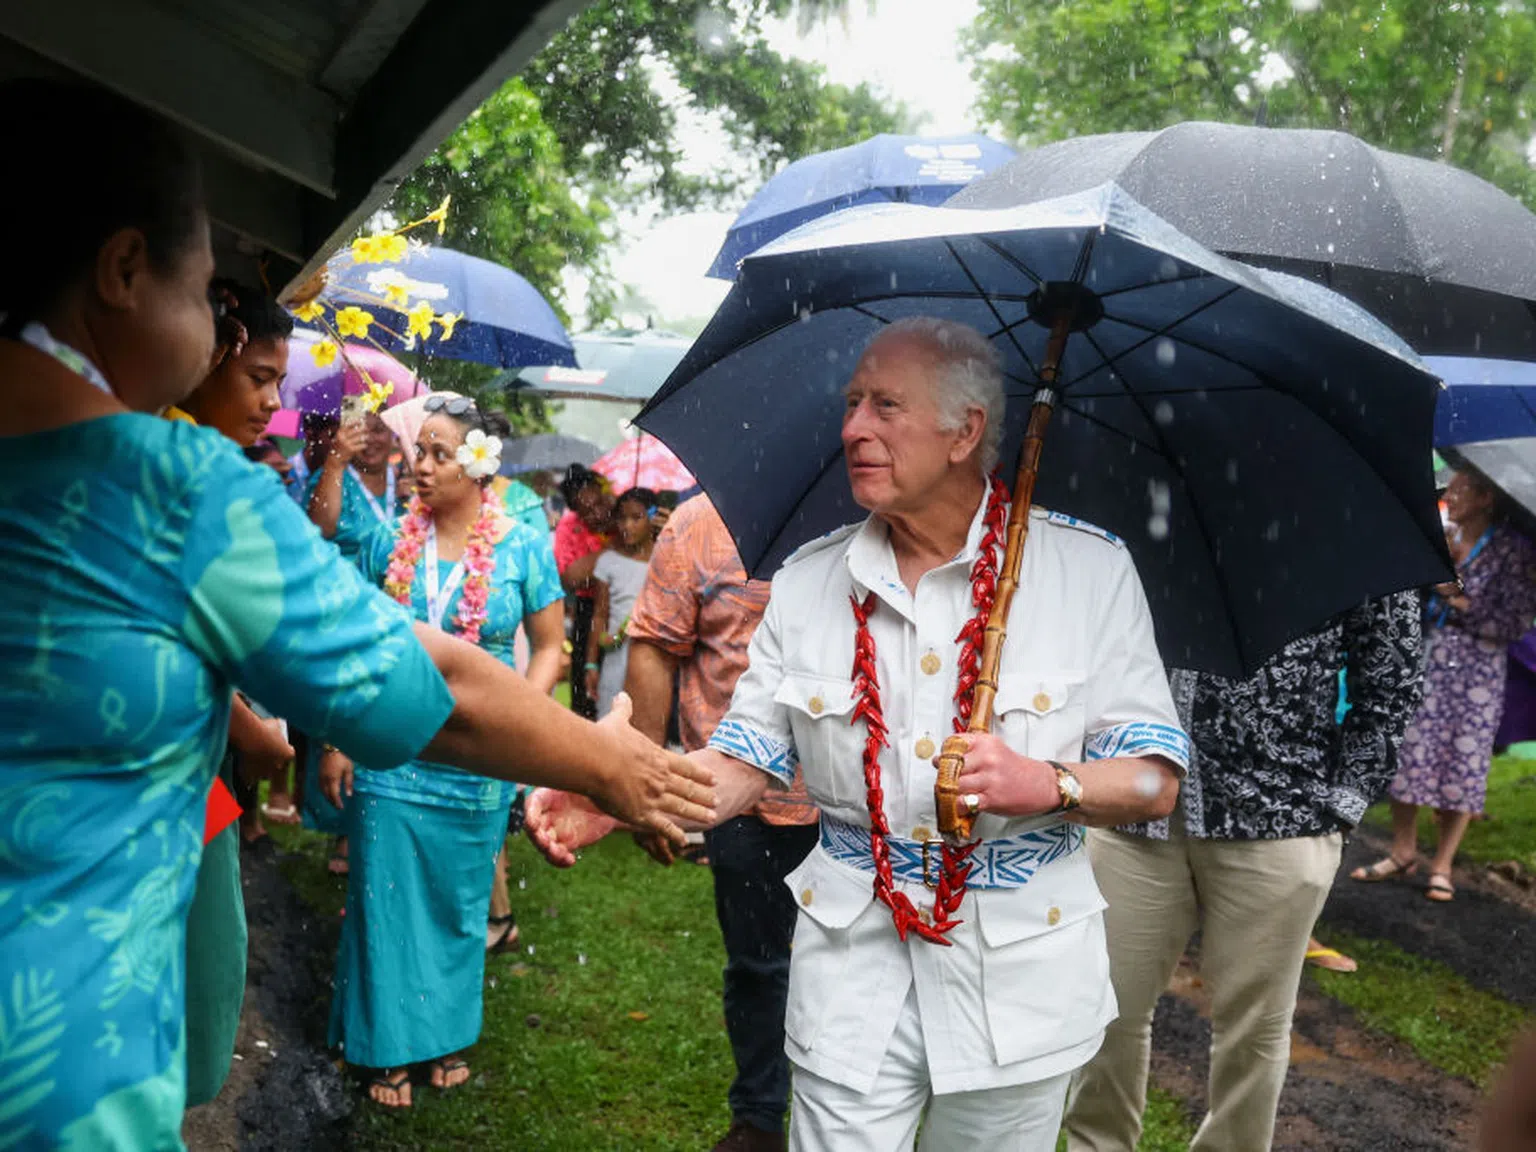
(1260, 443)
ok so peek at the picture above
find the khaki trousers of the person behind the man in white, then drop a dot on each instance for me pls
(1256, 904)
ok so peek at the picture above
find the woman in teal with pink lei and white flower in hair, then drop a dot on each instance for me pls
(425, 838)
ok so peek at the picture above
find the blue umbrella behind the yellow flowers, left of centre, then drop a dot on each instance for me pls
(506, 322)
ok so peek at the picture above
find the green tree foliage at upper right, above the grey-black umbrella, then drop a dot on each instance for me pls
(1440, 81)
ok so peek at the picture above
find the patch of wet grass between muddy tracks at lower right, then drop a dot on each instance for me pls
(1449, 1024)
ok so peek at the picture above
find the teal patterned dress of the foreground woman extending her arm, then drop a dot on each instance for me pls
(150, 571)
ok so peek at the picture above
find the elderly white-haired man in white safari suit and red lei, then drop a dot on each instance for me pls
(924, 979)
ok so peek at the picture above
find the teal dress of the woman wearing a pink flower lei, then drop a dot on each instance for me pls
(423, 846)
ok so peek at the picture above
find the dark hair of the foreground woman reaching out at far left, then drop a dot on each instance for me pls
(136, 171)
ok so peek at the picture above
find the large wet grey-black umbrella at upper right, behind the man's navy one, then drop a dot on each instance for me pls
(1440, 256)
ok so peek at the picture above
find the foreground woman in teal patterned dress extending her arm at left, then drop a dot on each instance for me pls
(148, 572)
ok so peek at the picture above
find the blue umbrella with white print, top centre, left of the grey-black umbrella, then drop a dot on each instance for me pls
(913, 170)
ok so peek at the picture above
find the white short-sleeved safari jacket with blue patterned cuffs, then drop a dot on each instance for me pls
(1024, 995)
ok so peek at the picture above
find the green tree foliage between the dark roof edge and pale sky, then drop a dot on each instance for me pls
(535, 170)
